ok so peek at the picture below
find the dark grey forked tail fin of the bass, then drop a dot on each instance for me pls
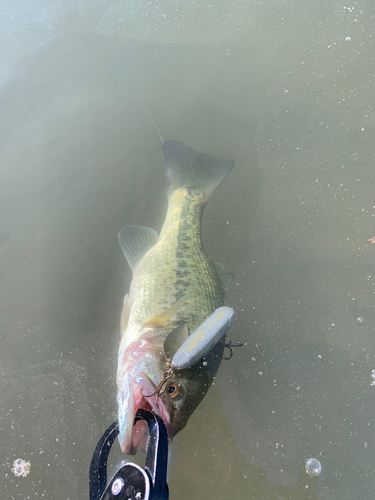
(187, 168)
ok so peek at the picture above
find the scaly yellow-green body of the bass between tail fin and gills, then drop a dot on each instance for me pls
(160, 278)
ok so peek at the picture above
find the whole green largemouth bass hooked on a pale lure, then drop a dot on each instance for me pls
(175, 287)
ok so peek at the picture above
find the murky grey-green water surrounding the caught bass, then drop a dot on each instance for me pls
(286, 90)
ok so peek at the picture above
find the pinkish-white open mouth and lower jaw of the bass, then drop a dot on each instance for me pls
(138, 392)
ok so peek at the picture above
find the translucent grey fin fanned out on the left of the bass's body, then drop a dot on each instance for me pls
(135, 242)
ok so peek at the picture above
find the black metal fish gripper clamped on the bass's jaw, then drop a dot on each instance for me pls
(130, 481)
